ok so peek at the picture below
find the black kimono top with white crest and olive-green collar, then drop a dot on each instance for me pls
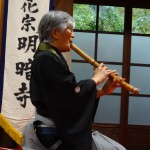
(56, 95)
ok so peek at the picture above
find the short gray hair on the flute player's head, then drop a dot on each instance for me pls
(53, 20)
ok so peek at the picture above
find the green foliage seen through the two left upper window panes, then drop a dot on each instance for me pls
(110, 18)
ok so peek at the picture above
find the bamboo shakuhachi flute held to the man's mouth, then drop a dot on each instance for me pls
(123, 84)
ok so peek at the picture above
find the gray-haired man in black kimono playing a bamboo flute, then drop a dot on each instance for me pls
(65, 108)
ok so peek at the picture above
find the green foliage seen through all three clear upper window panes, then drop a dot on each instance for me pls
(111, 18)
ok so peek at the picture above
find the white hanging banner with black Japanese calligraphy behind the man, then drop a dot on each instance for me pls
(21, 43)
